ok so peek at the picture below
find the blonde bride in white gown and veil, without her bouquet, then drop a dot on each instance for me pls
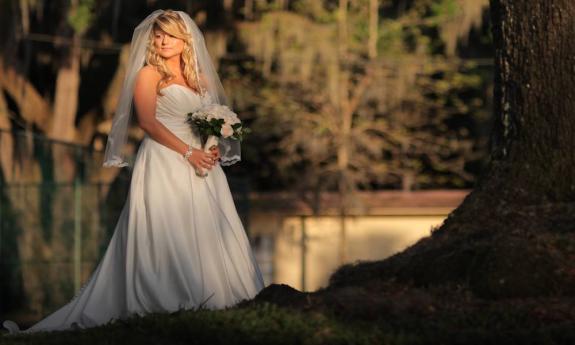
(179, 242)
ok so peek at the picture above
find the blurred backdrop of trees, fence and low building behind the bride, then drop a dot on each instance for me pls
(370, 122)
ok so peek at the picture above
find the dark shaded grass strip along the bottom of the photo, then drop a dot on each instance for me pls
(407, 320)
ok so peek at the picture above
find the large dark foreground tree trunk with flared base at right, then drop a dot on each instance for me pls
(512, 236)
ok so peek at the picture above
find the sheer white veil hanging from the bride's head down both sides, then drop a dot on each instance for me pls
(230, 150)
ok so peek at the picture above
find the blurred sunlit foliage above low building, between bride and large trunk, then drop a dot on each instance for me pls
(421, 123)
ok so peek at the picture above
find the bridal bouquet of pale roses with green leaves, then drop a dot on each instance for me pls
(214, 121)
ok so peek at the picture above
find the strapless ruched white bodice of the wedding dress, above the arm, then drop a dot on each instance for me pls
(172, 108)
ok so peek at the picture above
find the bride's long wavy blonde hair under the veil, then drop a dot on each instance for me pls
(171, 23)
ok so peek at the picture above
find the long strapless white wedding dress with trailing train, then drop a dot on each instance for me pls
(179, 242)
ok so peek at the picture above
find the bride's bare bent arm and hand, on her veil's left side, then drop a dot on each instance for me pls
(145, 103)
